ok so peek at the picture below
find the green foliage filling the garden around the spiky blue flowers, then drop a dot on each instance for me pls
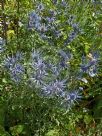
(22, 111)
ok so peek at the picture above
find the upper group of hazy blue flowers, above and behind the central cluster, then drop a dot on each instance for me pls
(49, 27)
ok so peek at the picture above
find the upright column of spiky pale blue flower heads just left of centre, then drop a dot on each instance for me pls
(37, 70)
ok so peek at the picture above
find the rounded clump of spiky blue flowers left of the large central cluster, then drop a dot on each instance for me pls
(14, 66)
